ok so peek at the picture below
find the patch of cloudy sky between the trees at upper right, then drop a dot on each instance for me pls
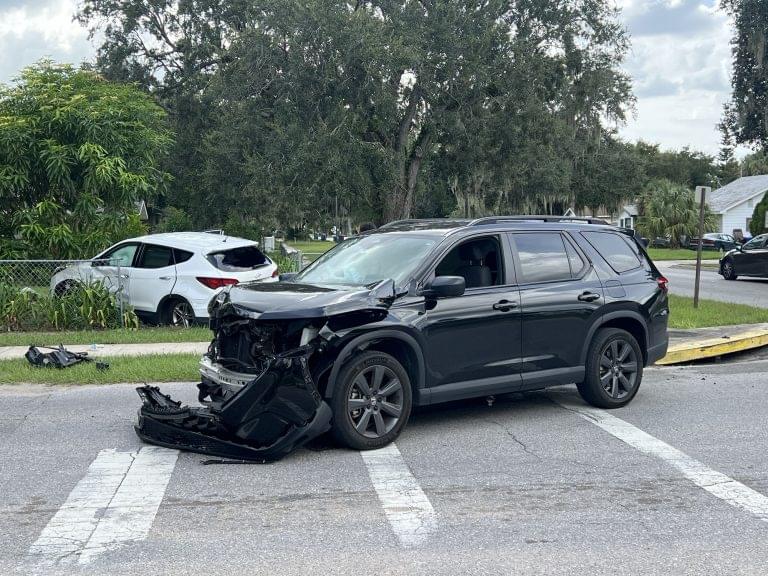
(680, 62)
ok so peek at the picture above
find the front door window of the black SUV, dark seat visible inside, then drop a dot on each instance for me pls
(478, 261)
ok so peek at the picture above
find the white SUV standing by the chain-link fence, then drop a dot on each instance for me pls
(170, 278)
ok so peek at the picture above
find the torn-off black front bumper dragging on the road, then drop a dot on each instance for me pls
(266, 419)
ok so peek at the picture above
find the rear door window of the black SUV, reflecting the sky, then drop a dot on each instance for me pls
(543, 257)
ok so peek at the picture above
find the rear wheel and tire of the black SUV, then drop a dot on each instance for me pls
(614, 369)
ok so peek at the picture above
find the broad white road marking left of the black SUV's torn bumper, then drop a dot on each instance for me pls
(115, 502)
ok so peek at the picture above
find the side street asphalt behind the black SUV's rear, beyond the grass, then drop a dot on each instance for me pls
(751, 291)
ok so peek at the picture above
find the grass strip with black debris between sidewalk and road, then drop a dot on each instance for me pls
(123, 369)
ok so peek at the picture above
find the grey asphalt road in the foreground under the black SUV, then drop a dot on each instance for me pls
(527, 486)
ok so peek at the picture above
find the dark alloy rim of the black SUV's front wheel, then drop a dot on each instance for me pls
(375, 401)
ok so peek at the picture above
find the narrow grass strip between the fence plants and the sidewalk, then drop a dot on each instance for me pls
(116, 336)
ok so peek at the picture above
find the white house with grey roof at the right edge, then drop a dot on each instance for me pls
(734, 203)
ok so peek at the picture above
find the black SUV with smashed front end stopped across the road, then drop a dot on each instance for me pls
(419, 312)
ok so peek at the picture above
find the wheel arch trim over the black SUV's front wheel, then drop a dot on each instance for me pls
(396, 343)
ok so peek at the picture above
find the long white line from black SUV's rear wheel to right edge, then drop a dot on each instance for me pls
(716, 483)
